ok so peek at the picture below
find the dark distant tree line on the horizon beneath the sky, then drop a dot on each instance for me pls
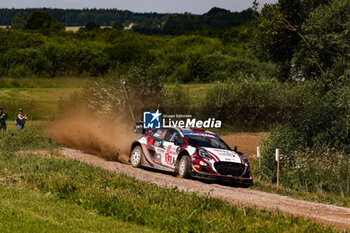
(147, 23)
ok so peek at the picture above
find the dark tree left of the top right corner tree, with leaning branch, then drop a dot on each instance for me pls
(278, 33)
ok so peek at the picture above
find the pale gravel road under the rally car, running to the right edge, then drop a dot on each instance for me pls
(328, 214)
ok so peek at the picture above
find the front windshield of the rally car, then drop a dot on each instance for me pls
(204, 141)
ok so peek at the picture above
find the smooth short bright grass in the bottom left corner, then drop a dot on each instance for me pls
(25, 210)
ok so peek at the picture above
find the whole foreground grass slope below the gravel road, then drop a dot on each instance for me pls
(58, 183)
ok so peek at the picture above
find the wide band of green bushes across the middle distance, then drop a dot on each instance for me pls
(99, 52)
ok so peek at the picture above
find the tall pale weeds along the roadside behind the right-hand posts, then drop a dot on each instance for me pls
(314, 170)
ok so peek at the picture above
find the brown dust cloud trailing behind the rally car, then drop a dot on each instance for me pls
(110, 139)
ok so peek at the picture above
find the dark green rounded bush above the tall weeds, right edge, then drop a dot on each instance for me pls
(319, 118)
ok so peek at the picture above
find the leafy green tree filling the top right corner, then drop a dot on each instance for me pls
(327, 32)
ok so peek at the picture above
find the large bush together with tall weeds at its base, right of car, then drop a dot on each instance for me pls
(314, 141)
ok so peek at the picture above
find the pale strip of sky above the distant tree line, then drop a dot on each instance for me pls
(159, 6)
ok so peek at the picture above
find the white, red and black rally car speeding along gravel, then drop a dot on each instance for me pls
(190, 152)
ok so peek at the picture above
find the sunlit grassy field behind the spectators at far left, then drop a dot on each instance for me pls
(38, 97)
